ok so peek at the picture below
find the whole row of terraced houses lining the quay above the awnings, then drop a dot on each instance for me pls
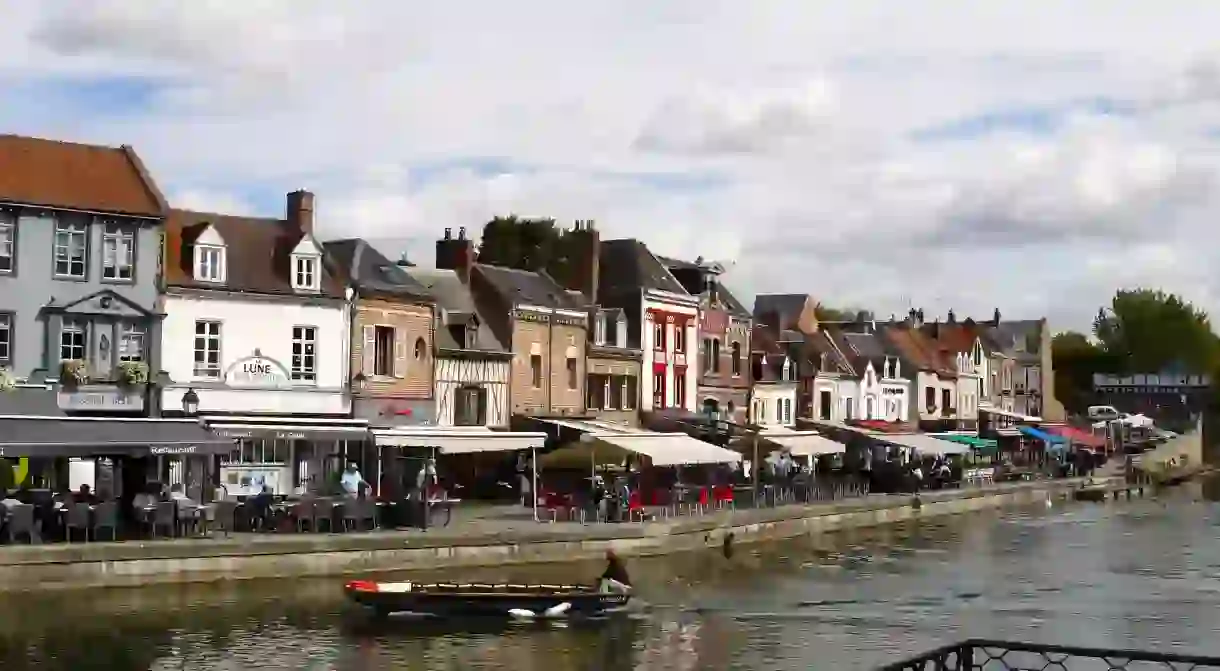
(130, 328)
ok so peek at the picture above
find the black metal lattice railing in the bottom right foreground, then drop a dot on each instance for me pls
(979, 655)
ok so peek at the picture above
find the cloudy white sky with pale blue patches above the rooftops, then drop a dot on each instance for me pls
(1032, 157)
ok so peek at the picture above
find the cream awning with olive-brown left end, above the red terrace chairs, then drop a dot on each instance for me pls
(662, 450)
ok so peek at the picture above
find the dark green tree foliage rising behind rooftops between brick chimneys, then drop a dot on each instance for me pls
(529, 245)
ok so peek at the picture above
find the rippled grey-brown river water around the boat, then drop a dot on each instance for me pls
(1141, 574)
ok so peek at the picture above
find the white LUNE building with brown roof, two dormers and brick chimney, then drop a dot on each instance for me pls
(258, 334)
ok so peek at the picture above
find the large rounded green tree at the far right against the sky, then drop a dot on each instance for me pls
(1149, 331)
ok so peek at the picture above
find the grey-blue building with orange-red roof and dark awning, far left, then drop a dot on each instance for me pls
(80, 329)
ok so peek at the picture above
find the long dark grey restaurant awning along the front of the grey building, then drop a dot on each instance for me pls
(34, 436)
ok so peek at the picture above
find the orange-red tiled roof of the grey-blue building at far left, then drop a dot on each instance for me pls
(74, 176)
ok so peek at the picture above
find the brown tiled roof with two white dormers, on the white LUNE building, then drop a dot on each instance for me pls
(258, 254)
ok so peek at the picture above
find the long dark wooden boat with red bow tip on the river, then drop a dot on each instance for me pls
(523, 602)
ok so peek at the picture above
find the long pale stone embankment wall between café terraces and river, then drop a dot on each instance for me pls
(249, 557)
